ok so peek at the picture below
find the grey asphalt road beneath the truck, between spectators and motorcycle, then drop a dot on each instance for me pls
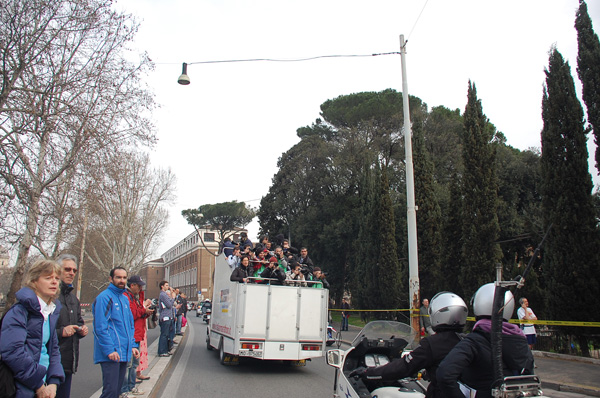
(196, 372)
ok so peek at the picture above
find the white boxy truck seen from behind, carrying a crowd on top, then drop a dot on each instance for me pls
(264, 321)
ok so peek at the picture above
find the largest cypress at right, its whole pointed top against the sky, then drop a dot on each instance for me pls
(571, 255)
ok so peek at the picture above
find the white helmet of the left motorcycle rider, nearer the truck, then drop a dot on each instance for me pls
(447, 309)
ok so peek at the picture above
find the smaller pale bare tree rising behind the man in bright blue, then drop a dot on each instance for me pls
(127, 213)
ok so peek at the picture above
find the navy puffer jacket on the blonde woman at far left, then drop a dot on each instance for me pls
(21, 344)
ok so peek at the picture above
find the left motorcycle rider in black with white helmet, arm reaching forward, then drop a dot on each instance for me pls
(448, 314)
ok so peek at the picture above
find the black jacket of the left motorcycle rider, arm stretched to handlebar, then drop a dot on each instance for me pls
(427, 355)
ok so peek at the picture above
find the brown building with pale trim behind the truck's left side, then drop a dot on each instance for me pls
(189, 265)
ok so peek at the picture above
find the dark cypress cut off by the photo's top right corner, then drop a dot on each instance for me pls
(588, 69)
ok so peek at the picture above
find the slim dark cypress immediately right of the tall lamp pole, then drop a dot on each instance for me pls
(429, 218)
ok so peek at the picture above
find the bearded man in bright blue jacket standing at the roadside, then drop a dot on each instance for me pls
(114, 332)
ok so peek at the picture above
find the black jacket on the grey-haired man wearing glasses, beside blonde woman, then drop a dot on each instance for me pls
(70, 314)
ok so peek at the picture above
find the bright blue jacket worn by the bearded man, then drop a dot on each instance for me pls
(113, 325)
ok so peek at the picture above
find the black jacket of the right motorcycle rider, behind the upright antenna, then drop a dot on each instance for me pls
(471, 362)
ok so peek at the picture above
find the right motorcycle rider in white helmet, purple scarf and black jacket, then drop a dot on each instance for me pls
(471, 359)
